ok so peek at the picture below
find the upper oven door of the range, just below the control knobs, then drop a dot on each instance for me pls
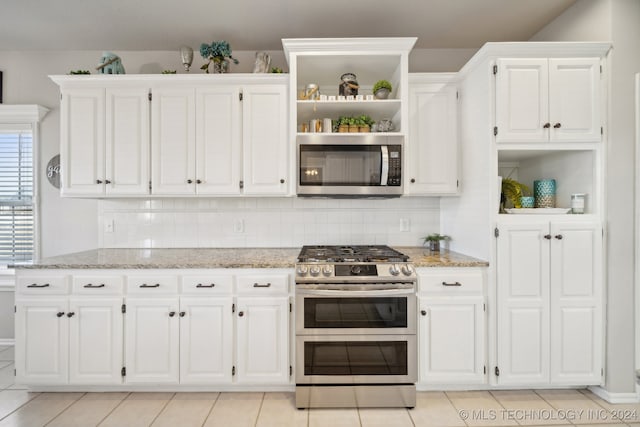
(341, 312)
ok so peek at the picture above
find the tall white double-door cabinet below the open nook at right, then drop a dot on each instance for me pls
(549, 295)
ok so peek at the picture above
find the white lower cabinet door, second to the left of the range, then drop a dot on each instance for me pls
(206, 340)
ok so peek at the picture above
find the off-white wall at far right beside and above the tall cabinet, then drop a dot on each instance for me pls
(615, 21)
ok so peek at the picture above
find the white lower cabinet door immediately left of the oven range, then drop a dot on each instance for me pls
(262, 337)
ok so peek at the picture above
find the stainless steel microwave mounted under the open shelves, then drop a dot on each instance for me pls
(359, 166)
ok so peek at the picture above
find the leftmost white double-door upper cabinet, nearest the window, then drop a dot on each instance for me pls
(104, 137)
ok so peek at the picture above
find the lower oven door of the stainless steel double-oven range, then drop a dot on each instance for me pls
(356, 359)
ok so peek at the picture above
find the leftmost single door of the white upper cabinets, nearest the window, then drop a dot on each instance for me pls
(82, 125)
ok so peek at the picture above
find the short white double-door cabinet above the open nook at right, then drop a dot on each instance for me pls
(539, 100)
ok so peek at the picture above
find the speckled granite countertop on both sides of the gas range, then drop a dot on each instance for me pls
(221, 258)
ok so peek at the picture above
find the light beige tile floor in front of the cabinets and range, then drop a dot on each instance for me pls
(21, 408)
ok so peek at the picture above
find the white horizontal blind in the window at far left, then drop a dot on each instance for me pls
(16, 196)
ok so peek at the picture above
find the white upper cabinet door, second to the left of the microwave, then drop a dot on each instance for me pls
(218, 142)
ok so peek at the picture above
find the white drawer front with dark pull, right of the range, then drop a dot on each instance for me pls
(450, 281)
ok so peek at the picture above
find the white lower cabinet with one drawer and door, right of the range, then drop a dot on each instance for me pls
(451, 330)
